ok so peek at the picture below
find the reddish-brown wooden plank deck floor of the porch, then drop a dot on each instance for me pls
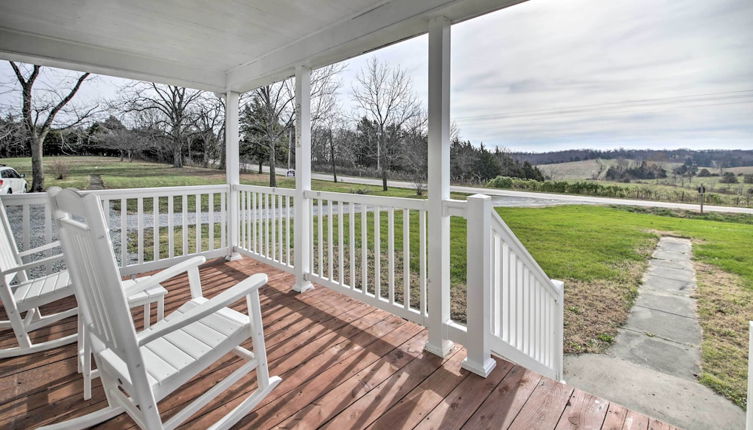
(344, 365)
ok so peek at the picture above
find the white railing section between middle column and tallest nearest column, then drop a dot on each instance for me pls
(353, 252)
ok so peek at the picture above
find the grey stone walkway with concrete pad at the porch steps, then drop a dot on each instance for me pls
(653, 365)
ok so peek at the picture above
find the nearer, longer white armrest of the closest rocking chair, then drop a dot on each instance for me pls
(209, 307)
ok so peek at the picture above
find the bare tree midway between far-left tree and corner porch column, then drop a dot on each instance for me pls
(171, 108)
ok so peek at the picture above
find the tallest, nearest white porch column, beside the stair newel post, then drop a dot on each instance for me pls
(439, 186)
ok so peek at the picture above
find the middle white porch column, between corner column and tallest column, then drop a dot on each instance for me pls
(302, 234)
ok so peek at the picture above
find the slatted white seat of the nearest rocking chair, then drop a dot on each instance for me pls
(172, 360)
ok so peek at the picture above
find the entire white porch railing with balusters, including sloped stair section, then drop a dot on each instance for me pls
(369, 247)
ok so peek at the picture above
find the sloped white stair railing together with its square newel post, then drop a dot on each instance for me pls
(510, 298)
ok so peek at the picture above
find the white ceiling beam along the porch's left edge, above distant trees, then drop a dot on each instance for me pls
(35, 49)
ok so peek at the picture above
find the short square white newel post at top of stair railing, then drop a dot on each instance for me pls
(478, 313)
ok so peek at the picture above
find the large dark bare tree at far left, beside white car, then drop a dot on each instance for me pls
(40, 108)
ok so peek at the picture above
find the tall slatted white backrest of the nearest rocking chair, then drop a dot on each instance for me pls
(91, 263)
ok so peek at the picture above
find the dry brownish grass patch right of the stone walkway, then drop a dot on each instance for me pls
(724, 307)
